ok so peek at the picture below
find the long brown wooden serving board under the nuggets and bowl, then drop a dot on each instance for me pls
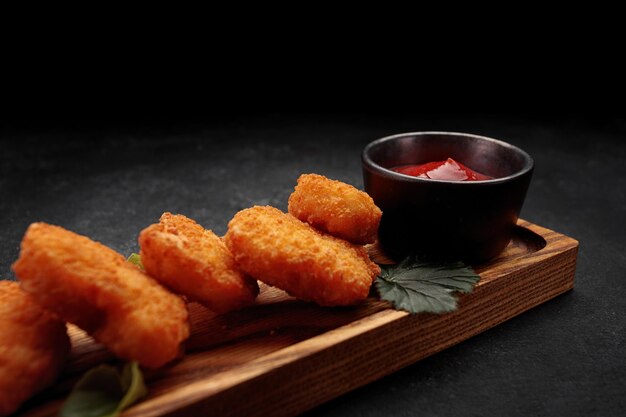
(283, 356)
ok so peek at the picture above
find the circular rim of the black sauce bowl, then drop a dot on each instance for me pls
(369, 163)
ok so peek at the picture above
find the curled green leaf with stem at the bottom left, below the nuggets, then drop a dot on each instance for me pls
(105, 392)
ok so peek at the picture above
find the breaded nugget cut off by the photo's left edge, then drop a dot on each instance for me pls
(33, 347)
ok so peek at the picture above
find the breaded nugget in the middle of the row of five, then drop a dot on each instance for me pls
(193, 261)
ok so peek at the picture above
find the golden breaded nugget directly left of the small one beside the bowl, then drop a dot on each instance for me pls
(282, 251)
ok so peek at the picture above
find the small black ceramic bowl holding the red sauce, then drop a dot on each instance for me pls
(468, 220)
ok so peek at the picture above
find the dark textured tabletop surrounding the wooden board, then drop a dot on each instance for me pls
(567, 357)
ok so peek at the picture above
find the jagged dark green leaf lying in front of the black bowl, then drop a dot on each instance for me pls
(418, 286)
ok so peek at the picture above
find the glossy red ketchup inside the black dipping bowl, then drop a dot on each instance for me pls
(449, 170)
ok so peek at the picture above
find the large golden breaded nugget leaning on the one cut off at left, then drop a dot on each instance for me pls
(94, 287)
